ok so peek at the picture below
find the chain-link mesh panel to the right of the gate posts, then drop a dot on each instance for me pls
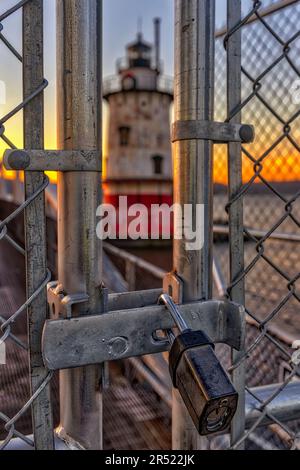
(271, 197)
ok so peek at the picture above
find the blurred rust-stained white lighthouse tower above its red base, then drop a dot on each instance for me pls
(138, 160)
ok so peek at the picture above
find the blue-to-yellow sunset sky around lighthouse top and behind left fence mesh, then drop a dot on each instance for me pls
(121, 18)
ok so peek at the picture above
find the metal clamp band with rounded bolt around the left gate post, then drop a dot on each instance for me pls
(53, 160)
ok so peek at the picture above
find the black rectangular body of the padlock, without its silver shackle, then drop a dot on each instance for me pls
(206, 390)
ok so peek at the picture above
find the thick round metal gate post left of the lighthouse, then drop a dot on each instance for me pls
(79, 57)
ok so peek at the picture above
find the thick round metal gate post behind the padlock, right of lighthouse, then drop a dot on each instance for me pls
(193, 165)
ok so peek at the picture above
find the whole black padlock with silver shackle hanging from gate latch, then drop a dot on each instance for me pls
(198, 375)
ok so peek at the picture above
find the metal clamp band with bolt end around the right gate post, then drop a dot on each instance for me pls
(218, 132)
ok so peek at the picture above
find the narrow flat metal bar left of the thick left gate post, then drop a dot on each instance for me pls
(35, 220)
